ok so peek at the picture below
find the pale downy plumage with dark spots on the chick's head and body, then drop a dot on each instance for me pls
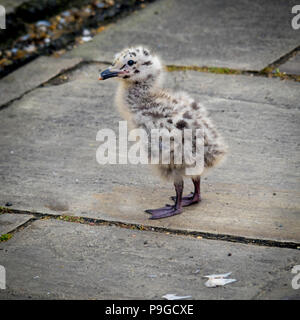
(144, 104)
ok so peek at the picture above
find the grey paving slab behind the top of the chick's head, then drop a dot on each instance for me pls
(240, 34)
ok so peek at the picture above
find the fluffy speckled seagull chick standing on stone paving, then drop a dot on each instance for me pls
(144, 104)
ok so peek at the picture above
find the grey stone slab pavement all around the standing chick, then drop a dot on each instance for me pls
(48, 166)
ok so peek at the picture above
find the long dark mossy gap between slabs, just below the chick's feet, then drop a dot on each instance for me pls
(133, 226)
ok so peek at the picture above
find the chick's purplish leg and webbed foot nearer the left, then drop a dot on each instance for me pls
(169, 210)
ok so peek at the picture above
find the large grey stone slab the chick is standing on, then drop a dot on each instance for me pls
(48, 156)
